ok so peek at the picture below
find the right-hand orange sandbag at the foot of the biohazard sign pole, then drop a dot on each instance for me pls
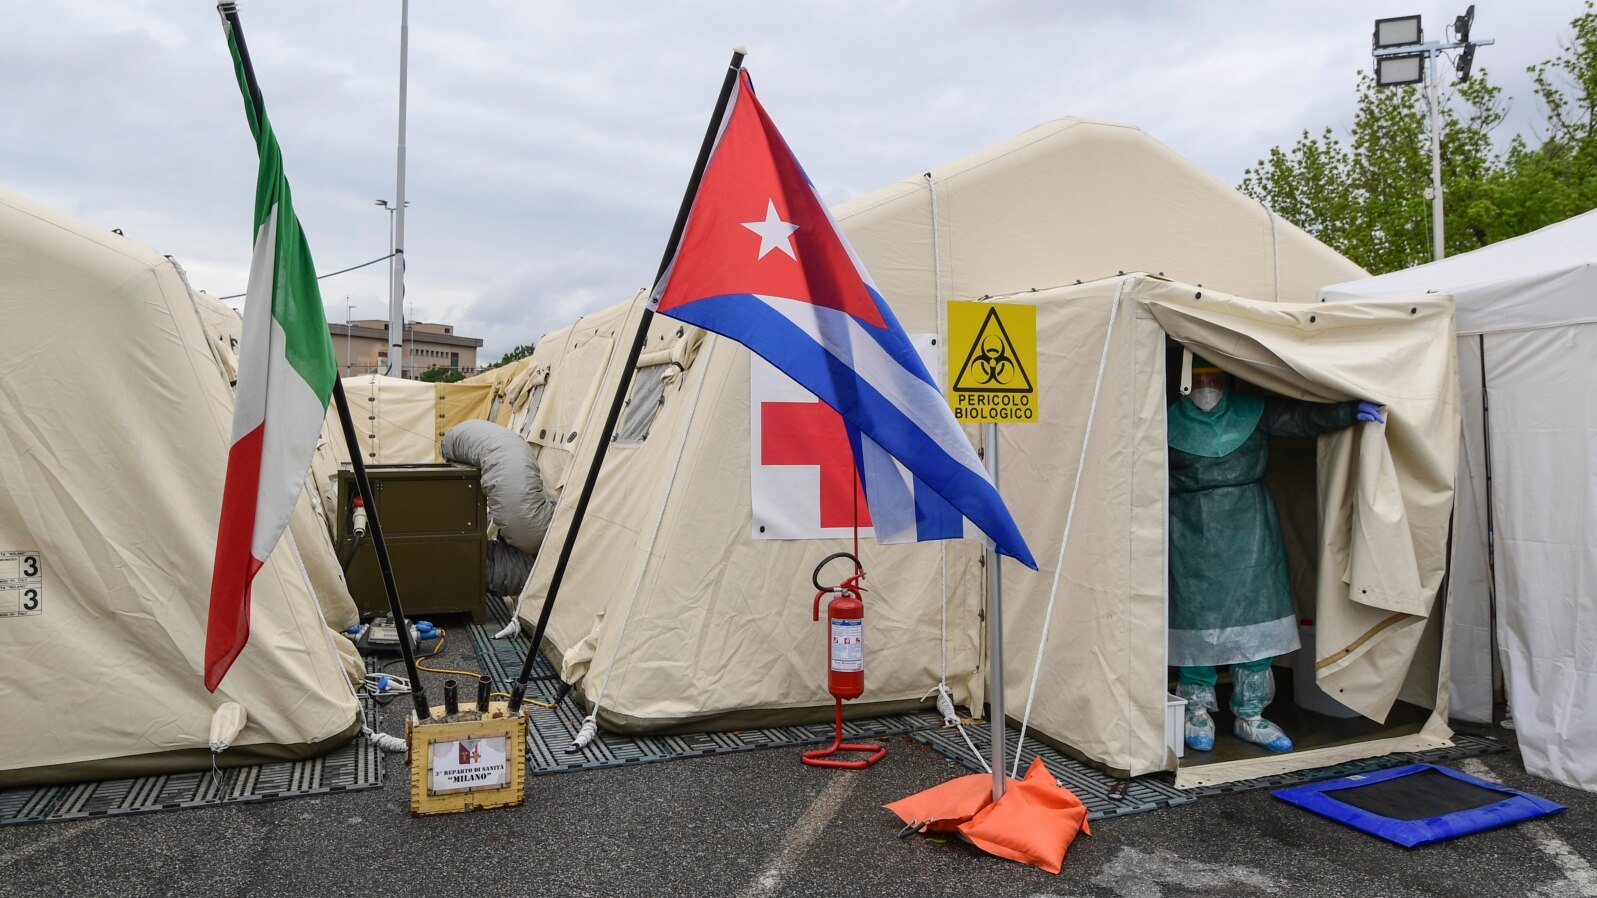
(1034, 822)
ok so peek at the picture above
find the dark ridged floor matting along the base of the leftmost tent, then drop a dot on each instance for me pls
(357, 766)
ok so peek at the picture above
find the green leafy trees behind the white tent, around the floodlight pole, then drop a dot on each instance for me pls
(1368, 196)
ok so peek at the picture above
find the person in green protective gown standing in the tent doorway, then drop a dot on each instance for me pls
(1230, 597)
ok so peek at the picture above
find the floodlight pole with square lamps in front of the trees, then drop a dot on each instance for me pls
(1400, 60)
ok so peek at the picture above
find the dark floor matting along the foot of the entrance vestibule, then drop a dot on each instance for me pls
(1109, 797)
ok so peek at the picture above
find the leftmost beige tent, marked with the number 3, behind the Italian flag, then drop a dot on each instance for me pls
(116, 418)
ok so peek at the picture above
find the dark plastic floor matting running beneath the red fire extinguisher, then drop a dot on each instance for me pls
(553, 729)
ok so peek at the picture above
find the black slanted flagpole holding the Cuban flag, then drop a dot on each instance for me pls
(518, 691)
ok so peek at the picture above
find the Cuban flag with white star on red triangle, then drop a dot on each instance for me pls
(763, 263)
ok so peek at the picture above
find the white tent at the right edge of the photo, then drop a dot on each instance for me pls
(1526, 531)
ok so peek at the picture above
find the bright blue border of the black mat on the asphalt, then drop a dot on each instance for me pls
(1515, 808)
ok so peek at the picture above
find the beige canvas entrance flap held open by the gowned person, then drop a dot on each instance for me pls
(1384, 491)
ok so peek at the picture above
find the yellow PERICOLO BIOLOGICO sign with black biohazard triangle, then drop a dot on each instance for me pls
(993, 364)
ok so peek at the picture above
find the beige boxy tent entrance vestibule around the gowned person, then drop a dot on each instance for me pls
(1366, 514)
